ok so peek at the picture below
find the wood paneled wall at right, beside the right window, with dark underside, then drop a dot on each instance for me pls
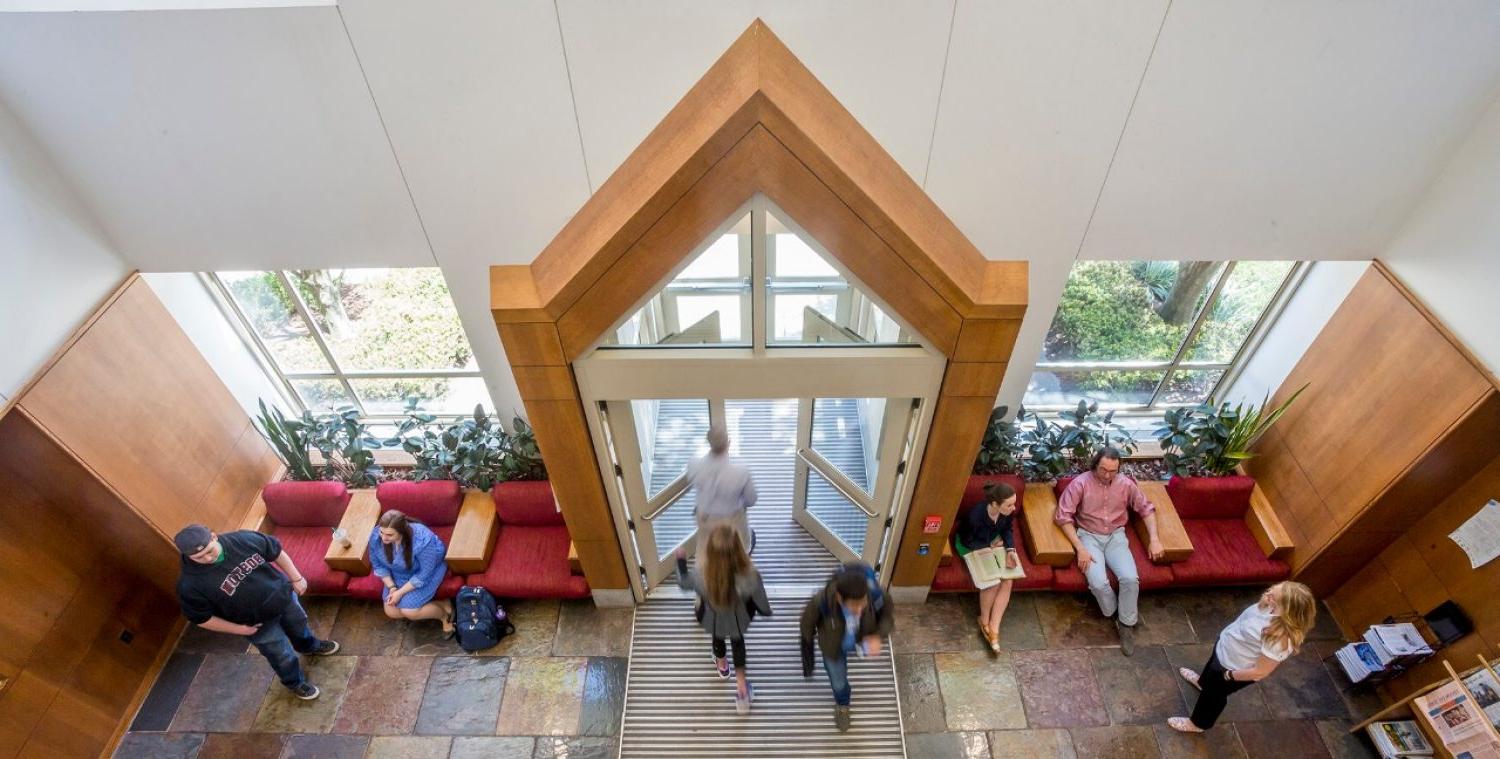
(1394, 418)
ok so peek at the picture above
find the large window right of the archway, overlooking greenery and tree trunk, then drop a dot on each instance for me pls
(1147, 335)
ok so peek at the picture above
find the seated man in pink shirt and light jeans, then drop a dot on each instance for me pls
(1093, 512)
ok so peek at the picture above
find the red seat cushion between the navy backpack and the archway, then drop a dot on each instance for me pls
(532, 563)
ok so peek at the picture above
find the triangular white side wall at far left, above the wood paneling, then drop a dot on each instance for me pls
(58, 262)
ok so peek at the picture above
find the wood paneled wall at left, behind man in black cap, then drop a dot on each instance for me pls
(122, 439)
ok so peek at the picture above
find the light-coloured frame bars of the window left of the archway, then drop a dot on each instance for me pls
(284, 380)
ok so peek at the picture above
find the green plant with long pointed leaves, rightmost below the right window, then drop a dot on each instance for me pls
(1213, 442)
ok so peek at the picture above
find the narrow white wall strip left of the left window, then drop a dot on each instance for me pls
(196, 311)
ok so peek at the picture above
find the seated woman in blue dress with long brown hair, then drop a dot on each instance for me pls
(409, 559)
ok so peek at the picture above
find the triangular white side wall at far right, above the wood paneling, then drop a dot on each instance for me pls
(1448, 251)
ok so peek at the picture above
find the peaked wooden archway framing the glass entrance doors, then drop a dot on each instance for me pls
(757, 122)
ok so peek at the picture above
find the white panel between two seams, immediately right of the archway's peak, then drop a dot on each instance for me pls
(1033, 106)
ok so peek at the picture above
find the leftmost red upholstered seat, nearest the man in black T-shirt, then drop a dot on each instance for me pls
(304, 517)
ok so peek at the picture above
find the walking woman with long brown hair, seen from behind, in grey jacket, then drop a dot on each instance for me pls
(730, 595)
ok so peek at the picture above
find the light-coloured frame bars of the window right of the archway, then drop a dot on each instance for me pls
(1231, 370)
